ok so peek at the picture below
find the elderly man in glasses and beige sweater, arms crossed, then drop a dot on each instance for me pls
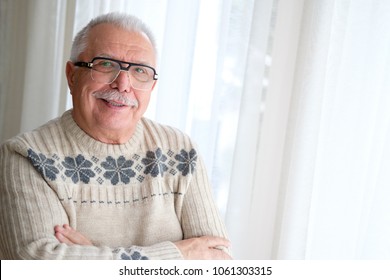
(101, 181)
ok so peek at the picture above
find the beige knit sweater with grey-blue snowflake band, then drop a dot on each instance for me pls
(131, 200)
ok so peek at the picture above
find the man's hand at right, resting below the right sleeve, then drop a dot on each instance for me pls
(204, 248)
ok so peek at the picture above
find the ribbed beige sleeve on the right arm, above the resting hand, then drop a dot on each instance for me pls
(200, 215)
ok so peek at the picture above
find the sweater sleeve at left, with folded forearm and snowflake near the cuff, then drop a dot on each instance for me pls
(29, 210)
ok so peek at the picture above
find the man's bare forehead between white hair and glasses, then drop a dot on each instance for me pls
(119, 43)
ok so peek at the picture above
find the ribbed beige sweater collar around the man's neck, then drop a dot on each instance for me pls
(85, 142)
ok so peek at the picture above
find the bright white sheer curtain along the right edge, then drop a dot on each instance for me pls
(336, 180)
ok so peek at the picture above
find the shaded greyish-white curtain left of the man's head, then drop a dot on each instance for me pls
(34, 44)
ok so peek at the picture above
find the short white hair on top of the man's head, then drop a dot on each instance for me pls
(125, 21)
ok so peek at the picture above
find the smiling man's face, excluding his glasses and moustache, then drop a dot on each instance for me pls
(102, 120)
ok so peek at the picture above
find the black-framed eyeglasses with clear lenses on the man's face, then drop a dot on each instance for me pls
(106, 70)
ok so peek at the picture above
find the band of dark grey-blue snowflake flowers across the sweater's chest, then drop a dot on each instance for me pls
(121, 170)
